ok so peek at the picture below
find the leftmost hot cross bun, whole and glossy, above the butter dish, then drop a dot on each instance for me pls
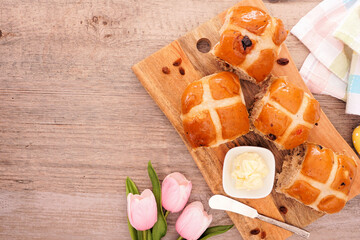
(213, 110)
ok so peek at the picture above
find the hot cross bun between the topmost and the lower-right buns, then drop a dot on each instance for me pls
(284, 113)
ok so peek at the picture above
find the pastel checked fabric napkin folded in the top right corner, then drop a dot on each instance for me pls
(331, 31)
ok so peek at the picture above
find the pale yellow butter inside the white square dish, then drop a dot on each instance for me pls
(249, 171)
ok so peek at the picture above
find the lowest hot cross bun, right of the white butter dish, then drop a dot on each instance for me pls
(318, 177)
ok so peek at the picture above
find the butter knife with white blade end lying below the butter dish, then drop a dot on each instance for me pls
(220, 202)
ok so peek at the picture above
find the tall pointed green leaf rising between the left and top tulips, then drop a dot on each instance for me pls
(160, 227)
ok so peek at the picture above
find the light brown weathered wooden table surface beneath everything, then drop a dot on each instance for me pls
(75, 121)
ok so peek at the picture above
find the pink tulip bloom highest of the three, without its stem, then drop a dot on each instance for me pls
(175, 192)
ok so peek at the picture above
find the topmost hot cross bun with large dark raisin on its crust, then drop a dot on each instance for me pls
(250, 42)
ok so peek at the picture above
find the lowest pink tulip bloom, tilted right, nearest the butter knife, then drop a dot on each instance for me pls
(193, 221)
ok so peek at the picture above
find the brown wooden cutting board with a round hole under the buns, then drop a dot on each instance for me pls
(166, 90)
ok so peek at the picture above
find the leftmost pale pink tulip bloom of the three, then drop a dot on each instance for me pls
(142, 210)
